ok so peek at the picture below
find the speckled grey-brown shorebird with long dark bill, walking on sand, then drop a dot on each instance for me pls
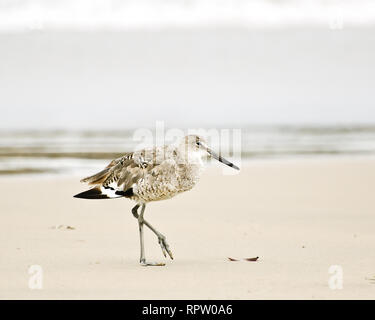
(152, 175)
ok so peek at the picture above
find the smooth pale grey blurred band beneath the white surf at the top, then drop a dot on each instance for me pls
(217, 76)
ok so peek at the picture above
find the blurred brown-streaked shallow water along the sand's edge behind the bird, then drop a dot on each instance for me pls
(84, 152)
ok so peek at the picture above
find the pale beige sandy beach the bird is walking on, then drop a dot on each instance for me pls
(299, 216)
